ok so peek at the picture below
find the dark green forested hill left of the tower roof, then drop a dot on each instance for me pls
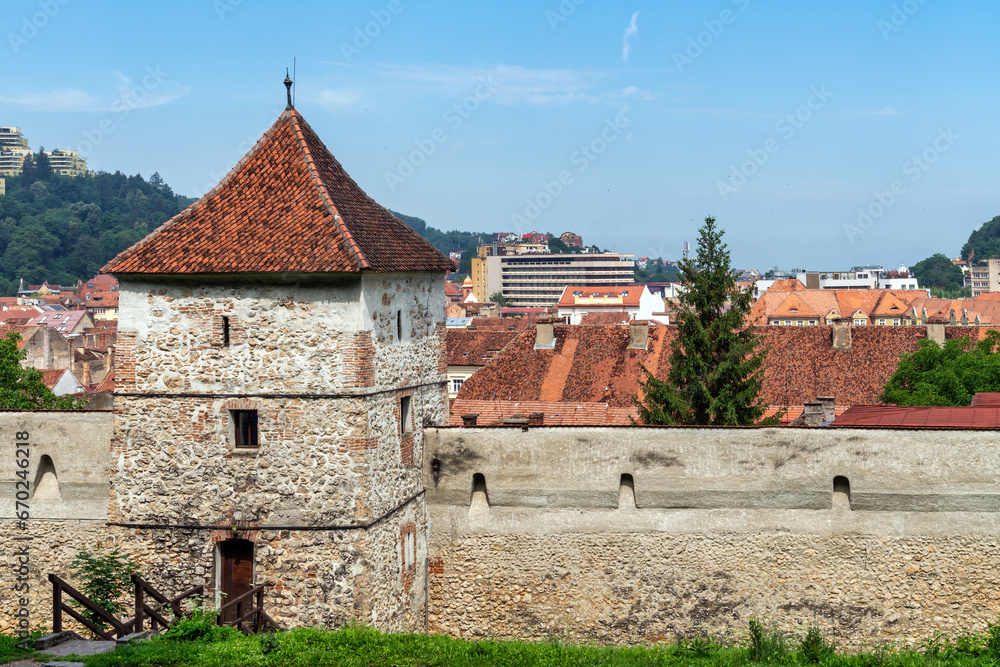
(63, 229)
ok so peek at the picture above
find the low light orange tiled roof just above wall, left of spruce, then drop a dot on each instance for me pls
(556, 414)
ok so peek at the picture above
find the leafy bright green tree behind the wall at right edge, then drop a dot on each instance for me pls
(949, 375)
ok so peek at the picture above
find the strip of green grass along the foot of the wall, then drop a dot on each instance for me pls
(201, 644)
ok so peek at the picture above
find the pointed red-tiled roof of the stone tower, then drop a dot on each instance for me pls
(287, 207)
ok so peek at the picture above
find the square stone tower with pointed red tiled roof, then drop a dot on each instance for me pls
(279, 352)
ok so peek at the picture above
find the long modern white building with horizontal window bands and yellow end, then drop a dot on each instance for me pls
(533, 280)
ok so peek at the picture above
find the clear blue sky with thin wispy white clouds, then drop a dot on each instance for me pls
(820, 134)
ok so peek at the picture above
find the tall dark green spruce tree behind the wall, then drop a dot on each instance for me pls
(716, 361)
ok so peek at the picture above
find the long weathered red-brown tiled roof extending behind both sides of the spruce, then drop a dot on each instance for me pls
(595, 365)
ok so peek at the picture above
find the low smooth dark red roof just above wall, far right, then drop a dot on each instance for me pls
(881, 416)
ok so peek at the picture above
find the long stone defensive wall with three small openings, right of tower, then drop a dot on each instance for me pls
(625, 534)
